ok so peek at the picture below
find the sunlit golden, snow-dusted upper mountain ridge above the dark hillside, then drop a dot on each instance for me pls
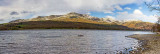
(85, 18)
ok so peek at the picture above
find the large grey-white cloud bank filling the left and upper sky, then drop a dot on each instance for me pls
(34, 8)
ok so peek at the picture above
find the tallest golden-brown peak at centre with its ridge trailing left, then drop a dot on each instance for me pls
(71, 15)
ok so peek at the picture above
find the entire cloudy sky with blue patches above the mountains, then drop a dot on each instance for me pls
(117, 9)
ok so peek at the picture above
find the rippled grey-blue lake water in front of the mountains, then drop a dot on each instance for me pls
(65, 41)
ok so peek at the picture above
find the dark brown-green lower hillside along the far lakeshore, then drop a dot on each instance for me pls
(59, 25)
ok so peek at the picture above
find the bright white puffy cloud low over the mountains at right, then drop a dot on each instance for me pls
(136, 15)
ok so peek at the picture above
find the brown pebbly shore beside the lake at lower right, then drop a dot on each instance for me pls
(149, 43)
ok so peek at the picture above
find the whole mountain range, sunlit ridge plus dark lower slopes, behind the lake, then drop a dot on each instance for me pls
(75, 20)
